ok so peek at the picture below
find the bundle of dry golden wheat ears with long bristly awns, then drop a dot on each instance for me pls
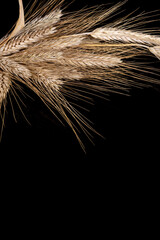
(63, 56)
